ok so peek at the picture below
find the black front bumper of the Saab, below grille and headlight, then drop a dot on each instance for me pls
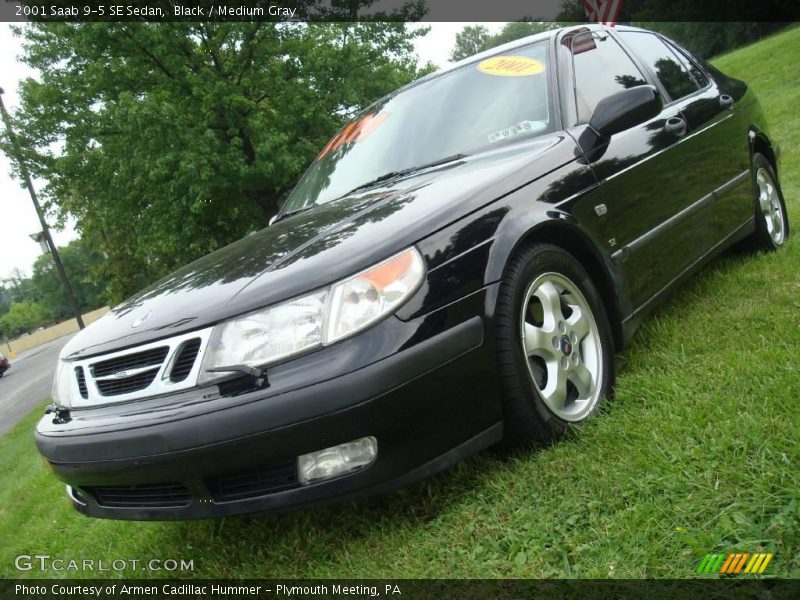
(429, 405)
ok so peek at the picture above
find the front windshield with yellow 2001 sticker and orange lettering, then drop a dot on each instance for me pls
(479, 105)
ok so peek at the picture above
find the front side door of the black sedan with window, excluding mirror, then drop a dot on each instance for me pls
(636, 212)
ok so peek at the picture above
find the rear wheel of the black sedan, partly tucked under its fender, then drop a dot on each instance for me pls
(772, 222)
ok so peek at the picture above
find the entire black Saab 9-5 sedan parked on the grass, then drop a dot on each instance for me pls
(456, 268)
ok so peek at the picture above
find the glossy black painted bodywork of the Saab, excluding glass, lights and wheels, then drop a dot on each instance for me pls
(423, 380)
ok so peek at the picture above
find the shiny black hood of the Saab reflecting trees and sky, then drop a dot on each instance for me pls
(315, 248)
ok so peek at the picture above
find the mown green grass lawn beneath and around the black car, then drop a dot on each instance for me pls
(700, 451)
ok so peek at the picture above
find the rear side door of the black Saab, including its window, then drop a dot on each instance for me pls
(713, 151)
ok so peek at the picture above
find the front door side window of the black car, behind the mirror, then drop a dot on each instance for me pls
(601, 68)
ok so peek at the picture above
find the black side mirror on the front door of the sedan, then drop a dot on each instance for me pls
(626, 109)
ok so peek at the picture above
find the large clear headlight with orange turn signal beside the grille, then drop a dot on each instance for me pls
(323, 317)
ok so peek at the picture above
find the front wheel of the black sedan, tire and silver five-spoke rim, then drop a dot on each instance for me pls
(554, 343)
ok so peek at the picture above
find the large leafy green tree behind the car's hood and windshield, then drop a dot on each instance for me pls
(167, 141)
